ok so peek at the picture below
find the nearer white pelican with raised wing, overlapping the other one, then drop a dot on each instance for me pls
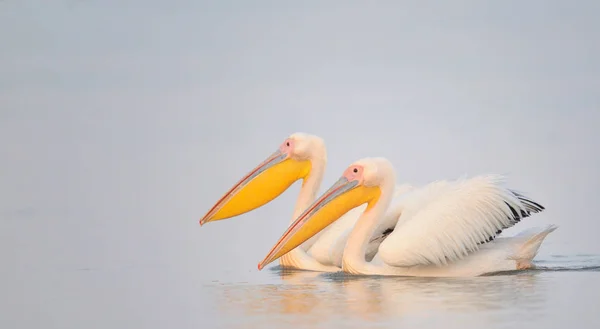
(444, 230)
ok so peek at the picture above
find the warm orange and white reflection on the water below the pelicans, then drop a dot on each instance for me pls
(315, 299)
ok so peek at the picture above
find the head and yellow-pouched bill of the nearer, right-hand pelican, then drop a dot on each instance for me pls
(364, 181)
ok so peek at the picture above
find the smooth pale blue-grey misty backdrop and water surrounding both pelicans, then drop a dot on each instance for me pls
(122, 122)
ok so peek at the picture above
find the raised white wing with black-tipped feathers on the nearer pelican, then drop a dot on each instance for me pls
(445, 222)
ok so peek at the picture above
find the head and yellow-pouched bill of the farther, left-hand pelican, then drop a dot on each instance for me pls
(293, 160)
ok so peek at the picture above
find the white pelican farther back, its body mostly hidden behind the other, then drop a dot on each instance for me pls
(300, 156)
